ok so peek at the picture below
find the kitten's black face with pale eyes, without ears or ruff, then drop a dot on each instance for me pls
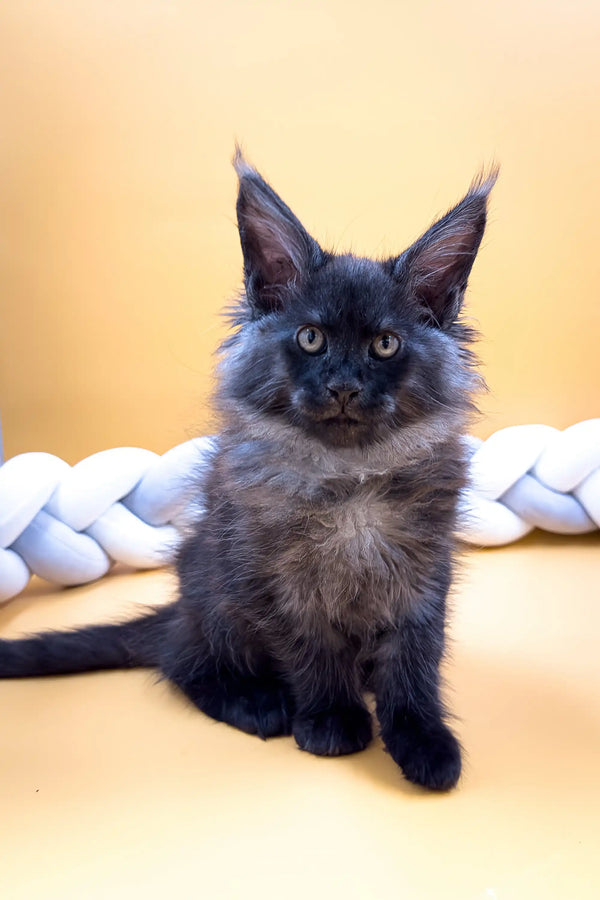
(346, 352)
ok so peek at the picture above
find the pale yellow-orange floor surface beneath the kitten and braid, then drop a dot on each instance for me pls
(112, 786)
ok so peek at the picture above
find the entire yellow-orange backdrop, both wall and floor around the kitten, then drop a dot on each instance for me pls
(117, 250)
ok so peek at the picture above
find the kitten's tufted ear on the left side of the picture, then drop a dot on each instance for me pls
(277, 250)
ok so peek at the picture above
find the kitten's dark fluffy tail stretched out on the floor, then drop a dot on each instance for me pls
(124, 646)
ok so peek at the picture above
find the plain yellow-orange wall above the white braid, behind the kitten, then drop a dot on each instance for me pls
(117, 239)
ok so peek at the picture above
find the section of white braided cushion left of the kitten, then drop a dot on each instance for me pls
(69, 524)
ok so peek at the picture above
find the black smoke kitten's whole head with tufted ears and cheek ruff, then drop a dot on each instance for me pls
(348, 349)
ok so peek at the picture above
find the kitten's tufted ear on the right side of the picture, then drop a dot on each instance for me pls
(437, 266)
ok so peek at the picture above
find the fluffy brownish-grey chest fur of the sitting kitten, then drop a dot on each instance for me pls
(341, 538)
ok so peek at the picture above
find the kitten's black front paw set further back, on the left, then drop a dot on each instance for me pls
(334, 732)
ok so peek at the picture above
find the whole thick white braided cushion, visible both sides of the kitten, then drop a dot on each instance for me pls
(69, 524)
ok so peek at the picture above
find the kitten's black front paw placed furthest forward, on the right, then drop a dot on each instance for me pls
(428, 756)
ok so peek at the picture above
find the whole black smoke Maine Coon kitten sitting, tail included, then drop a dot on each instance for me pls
(324, 556)
